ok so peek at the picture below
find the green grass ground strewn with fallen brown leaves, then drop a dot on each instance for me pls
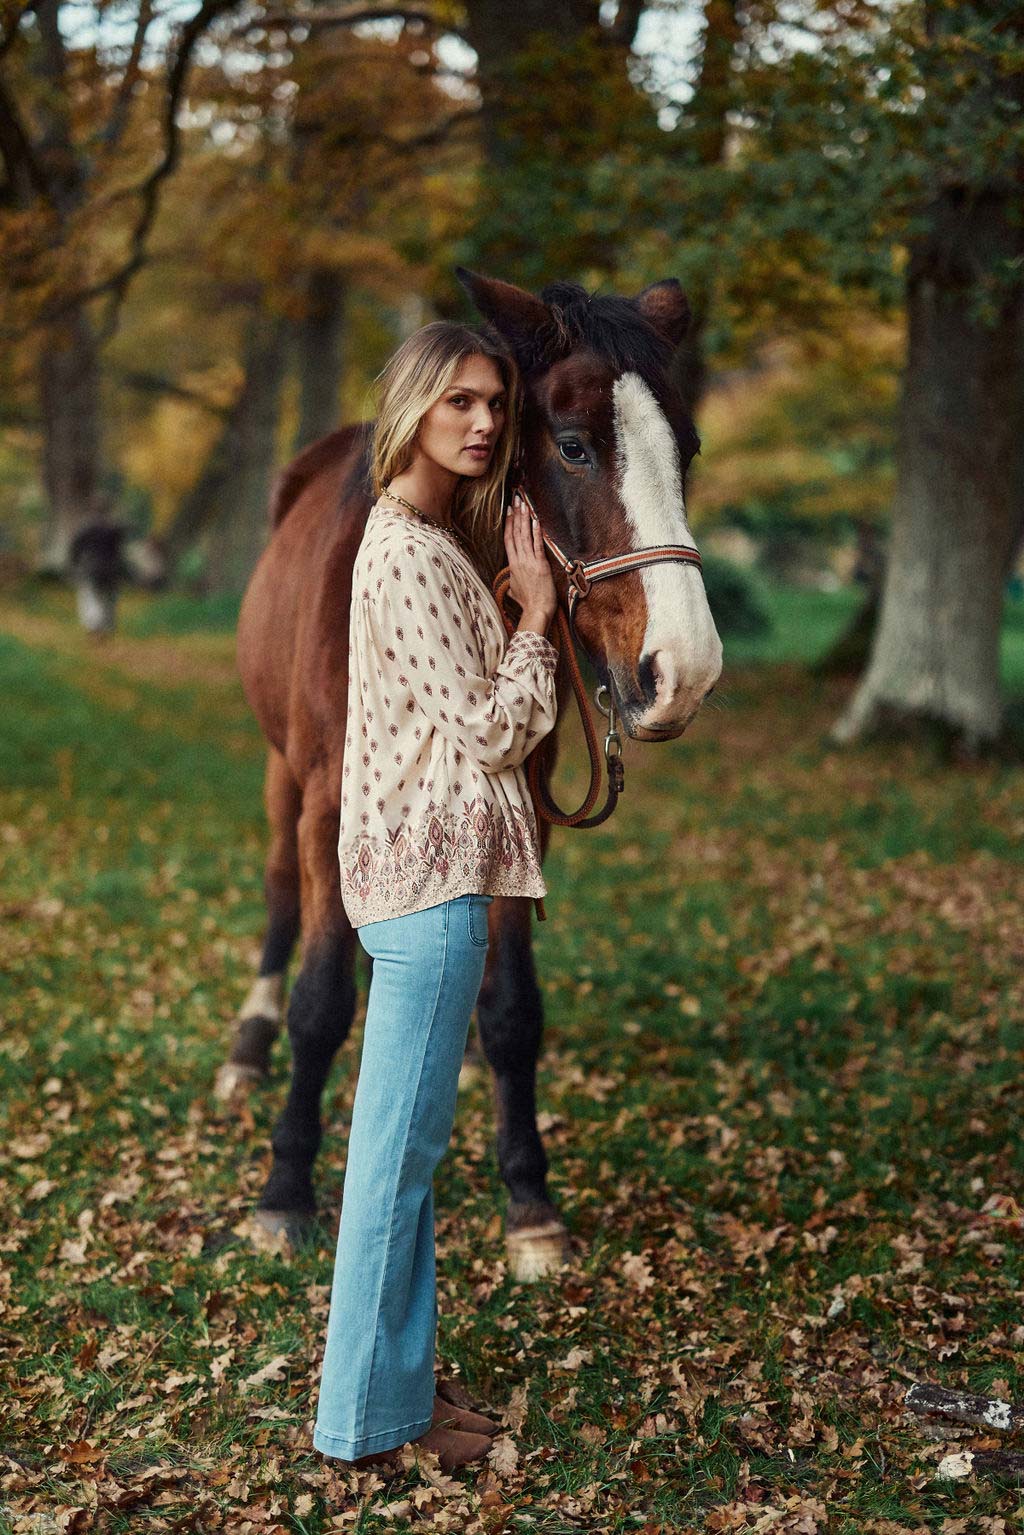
(781, 1094)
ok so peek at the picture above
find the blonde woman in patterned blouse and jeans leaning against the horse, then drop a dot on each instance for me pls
(435, 822)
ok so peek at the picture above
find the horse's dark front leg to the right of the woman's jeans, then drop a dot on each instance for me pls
(510, 1022)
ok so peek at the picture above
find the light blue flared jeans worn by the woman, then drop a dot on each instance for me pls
(378, 1382)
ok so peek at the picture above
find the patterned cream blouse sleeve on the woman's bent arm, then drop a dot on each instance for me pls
(495, 721)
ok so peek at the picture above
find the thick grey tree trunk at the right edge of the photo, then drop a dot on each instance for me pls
(960, 483)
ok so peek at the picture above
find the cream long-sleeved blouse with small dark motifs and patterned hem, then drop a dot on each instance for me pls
(443, 711)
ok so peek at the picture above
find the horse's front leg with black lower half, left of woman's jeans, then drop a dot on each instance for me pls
(320, 1017)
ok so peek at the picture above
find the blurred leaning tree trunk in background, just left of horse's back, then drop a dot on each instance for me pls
(230, 501)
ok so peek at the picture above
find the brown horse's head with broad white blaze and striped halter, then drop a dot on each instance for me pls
(606, 444)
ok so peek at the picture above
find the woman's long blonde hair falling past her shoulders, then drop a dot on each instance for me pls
(414, 380)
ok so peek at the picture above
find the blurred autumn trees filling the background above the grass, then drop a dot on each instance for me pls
(217, 220)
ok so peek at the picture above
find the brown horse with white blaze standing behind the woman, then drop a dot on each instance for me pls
(604, 451)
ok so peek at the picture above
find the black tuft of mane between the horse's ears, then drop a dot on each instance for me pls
(610, 326)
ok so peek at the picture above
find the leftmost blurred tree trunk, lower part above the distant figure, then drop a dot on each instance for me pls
(70, 398)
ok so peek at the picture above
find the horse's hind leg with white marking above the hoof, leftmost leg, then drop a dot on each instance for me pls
(260, 1015)
